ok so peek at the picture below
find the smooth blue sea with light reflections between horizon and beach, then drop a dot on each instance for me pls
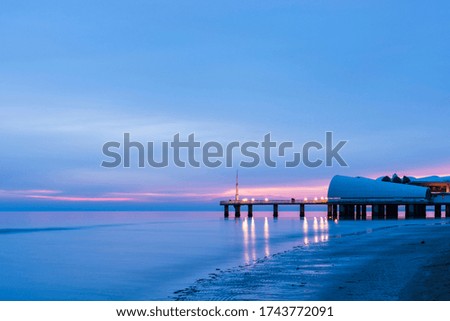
(143, 255)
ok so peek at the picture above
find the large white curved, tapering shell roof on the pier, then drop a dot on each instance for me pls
(344, 187)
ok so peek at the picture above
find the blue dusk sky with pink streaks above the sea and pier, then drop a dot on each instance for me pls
(75, 75)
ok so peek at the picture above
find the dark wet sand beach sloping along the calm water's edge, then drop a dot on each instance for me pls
(400, 262)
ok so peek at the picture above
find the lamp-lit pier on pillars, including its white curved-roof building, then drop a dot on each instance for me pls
(351, 198)
